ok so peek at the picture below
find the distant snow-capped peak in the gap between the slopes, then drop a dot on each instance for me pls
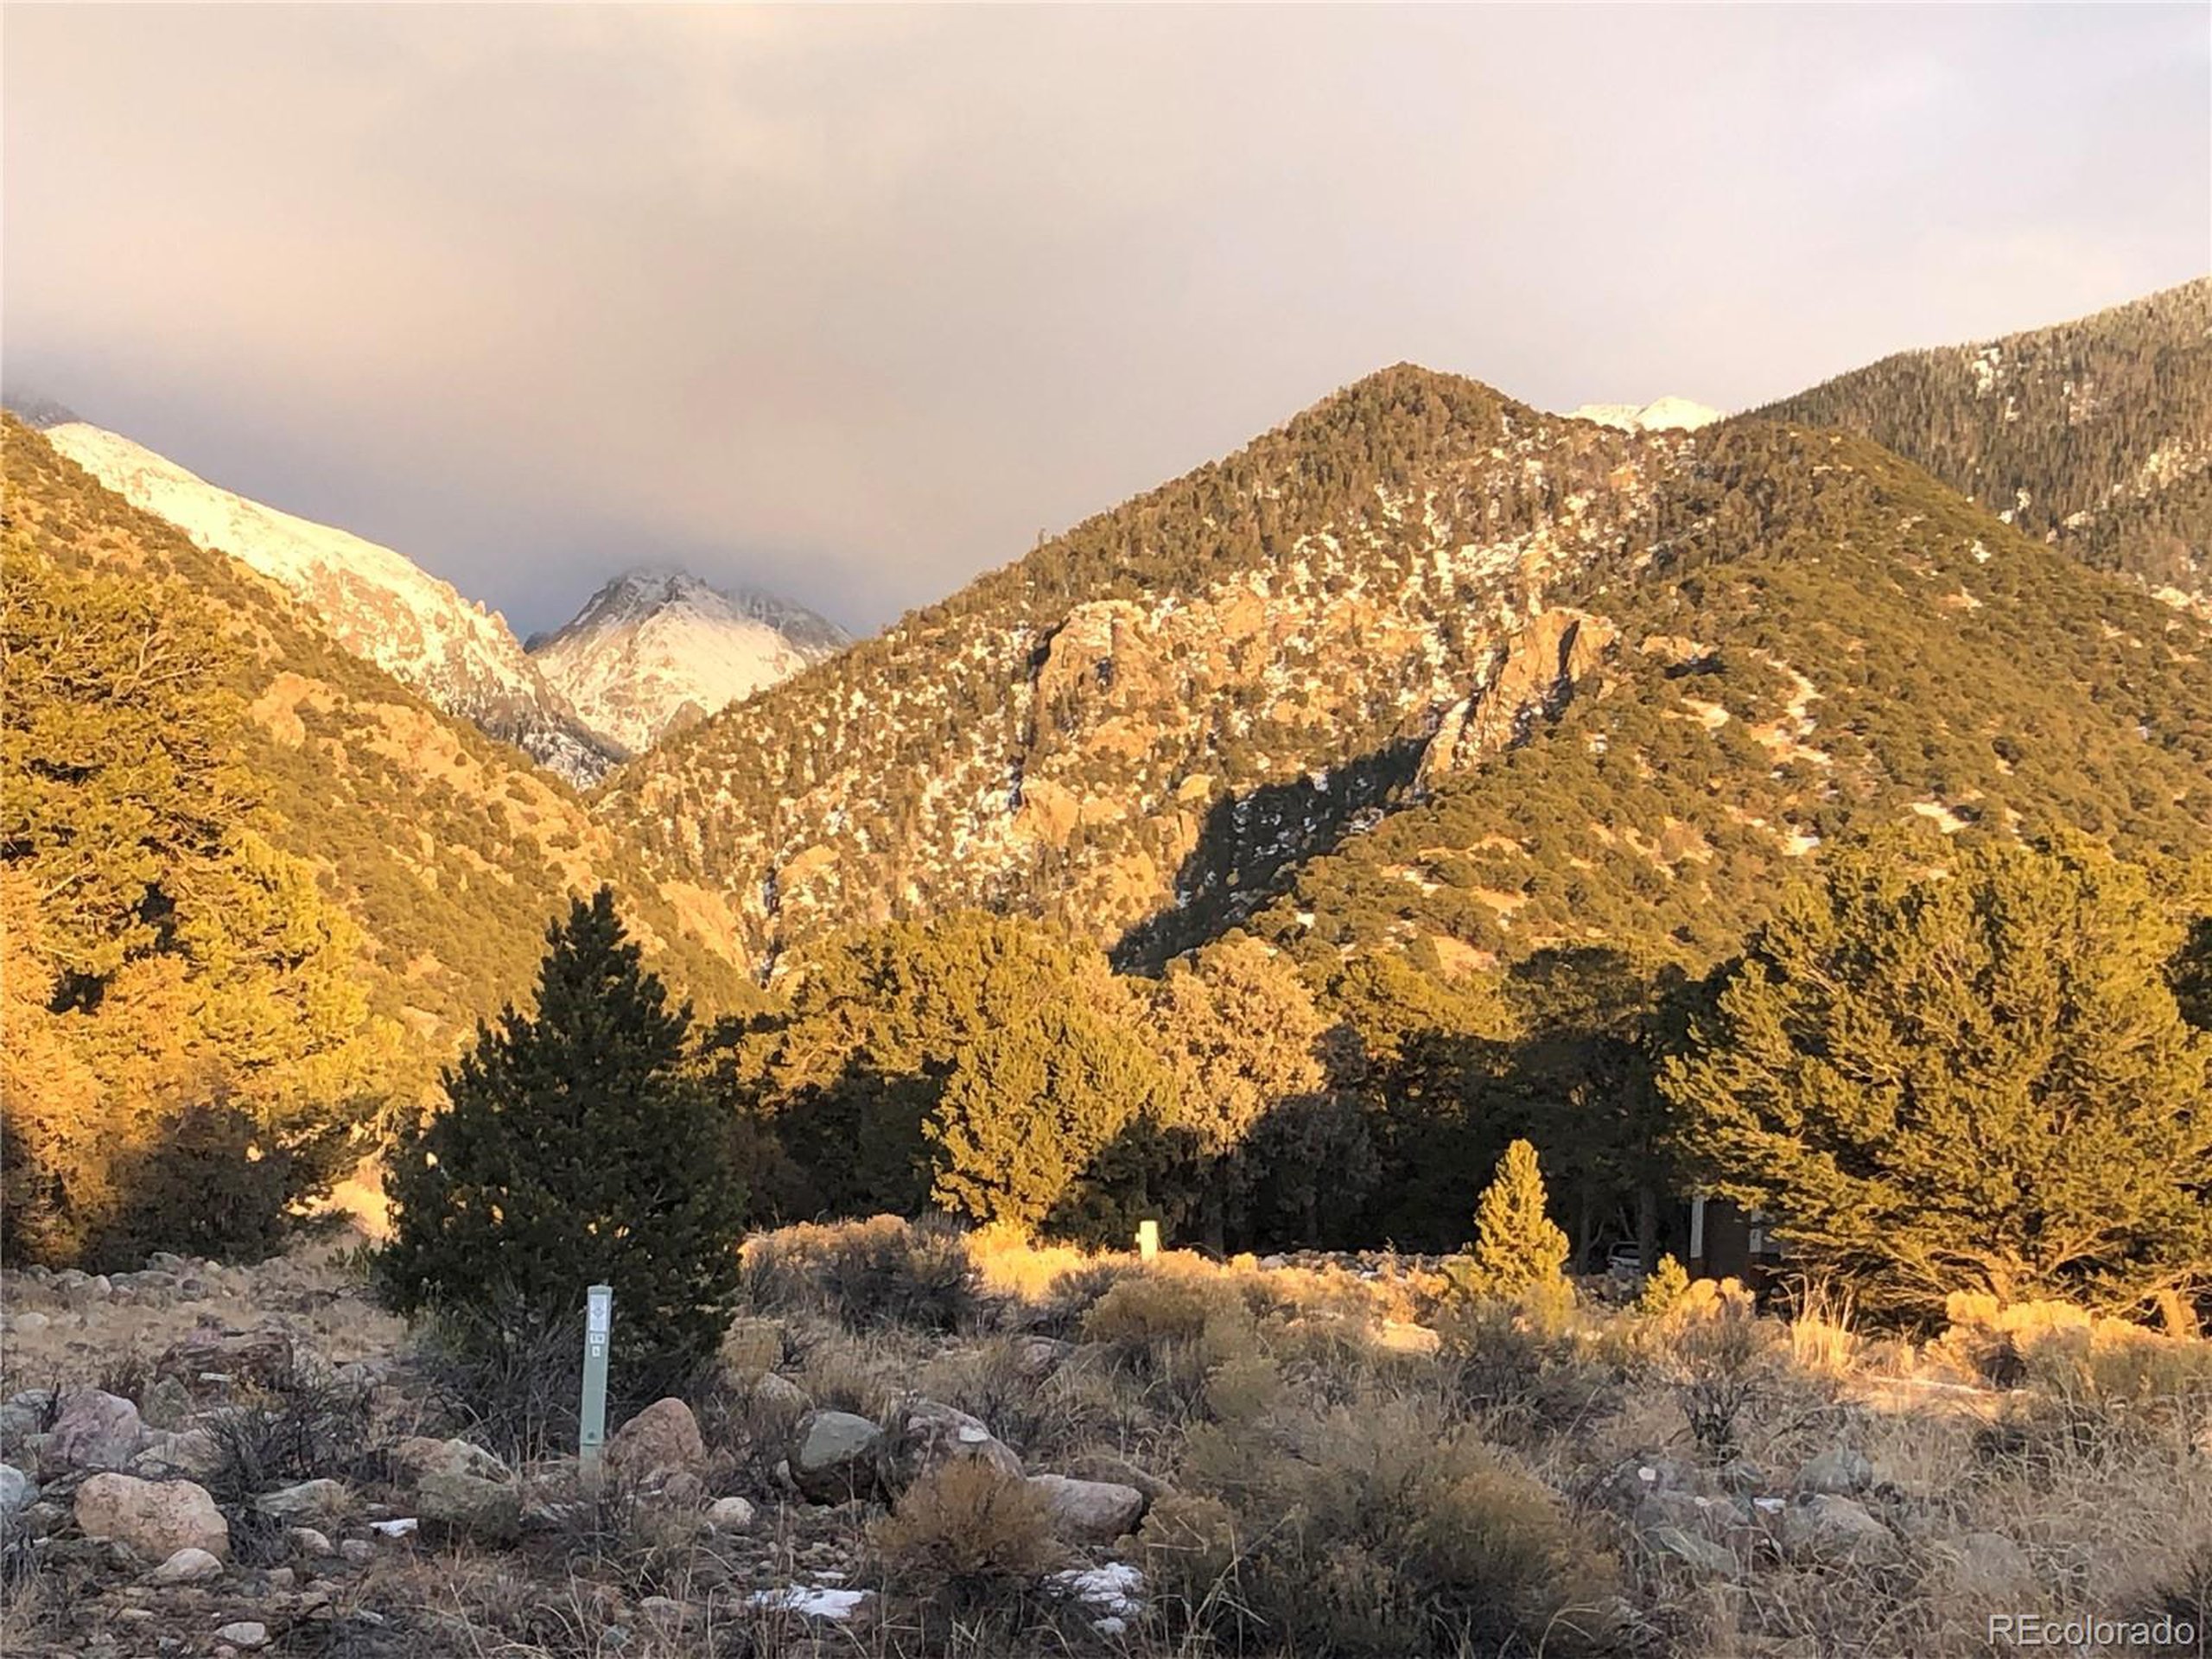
(660, 649)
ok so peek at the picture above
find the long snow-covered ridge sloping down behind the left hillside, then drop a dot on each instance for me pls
(375, 603)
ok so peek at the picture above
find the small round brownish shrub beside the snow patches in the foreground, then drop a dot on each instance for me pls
(970, 1541)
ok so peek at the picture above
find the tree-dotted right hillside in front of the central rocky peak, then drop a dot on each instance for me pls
(1826, 640)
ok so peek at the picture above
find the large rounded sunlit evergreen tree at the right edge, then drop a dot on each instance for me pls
(1968, 1078)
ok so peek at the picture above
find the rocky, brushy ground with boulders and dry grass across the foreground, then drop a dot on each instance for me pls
(1041, 1454)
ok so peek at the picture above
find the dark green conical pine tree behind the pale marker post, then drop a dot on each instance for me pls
(576, 1149)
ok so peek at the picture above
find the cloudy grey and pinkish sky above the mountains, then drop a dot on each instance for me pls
(853, 304)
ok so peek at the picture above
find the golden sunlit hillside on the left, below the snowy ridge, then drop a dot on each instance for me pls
(446, 848)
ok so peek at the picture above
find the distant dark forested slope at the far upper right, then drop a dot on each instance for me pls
(2091, 435)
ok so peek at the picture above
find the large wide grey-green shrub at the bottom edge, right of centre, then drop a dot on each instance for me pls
(1373, 1530)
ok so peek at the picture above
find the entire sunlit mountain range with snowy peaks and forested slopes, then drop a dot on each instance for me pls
(1423, 674)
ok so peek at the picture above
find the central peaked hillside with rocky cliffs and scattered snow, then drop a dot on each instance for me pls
(1169, 705)
